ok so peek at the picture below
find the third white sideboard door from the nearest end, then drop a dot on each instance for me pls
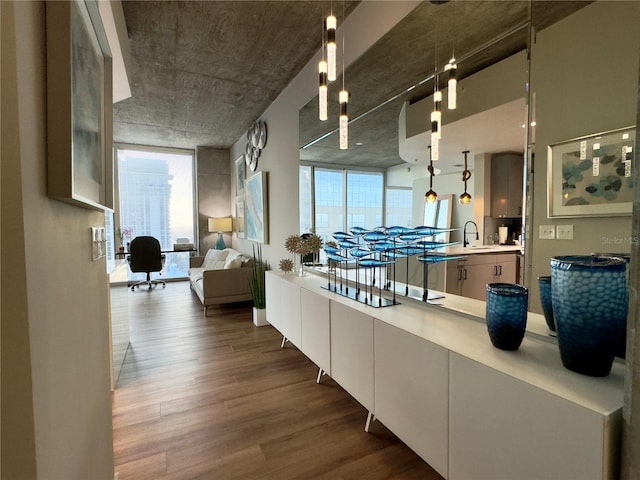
(352, 352)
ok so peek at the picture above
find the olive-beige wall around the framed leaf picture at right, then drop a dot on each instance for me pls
(585, 79)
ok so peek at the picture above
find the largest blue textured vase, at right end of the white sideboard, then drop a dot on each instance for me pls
(590, 302)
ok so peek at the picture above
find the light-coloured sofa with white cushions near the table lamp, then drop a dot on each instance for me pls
(221, 276)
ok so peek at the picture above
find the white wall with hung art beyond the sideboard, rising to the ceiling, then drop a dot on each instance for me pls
(368, 22)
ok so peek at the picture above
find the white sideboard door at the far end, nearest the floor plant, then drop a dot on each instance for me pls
(283, 306)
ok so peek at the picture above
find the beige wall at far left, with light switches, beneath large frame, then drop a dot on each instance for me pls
(56, 402)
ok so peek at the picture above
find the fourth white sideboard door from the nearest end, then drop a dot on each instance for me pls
(316, 329)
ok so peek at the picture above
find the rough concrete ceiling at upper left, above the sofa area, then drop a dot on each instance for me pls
(203, 71)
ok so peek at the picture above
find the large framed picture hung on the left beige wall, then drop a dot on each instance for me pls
(79, 113)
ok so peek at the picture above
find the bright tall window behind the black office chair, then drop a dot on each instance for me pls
(156, 192)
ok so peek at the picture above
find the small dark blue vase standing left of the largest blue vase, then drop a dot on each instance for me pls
(506, 314)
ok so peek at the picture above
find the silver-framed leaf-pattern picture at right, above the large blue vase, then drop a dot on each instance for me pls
(590, 176)
